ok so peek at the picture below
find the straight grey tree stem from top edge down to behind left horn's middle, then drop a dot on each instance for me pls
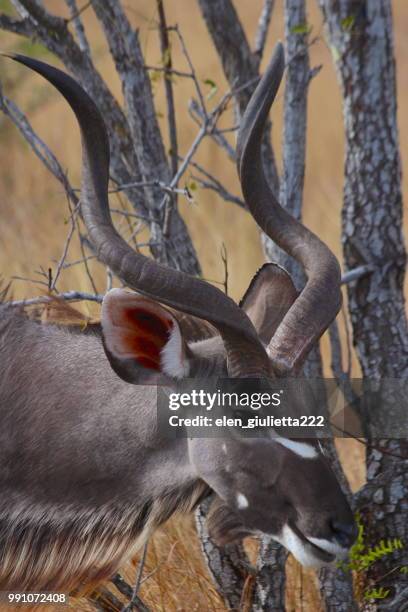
(176, 248)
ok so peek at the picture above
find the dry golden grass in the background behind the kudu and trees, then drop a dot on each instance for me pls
(33, 227)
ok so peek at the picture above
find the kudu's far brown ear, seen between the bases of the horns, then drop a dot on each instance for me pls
(268, 298)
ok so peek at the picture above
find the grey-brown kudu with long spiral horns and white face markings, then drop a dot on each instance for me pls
(84, 475)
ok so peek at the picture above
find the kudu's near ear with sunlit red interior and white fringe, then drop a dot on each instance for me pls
(142, 339)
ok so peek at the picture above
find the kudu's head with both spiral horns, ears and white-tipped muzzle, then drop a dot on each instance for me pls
(282, 487)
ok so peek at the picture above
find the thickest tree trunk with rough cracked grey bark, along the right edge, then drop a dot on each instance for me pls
(361, 39)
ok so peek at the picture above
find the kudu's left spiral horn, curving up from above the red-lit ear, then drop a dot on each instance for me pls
(246, 356)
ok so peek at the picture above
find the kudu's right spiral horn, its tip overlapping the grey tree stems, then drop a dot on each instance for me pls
(320, 300)
